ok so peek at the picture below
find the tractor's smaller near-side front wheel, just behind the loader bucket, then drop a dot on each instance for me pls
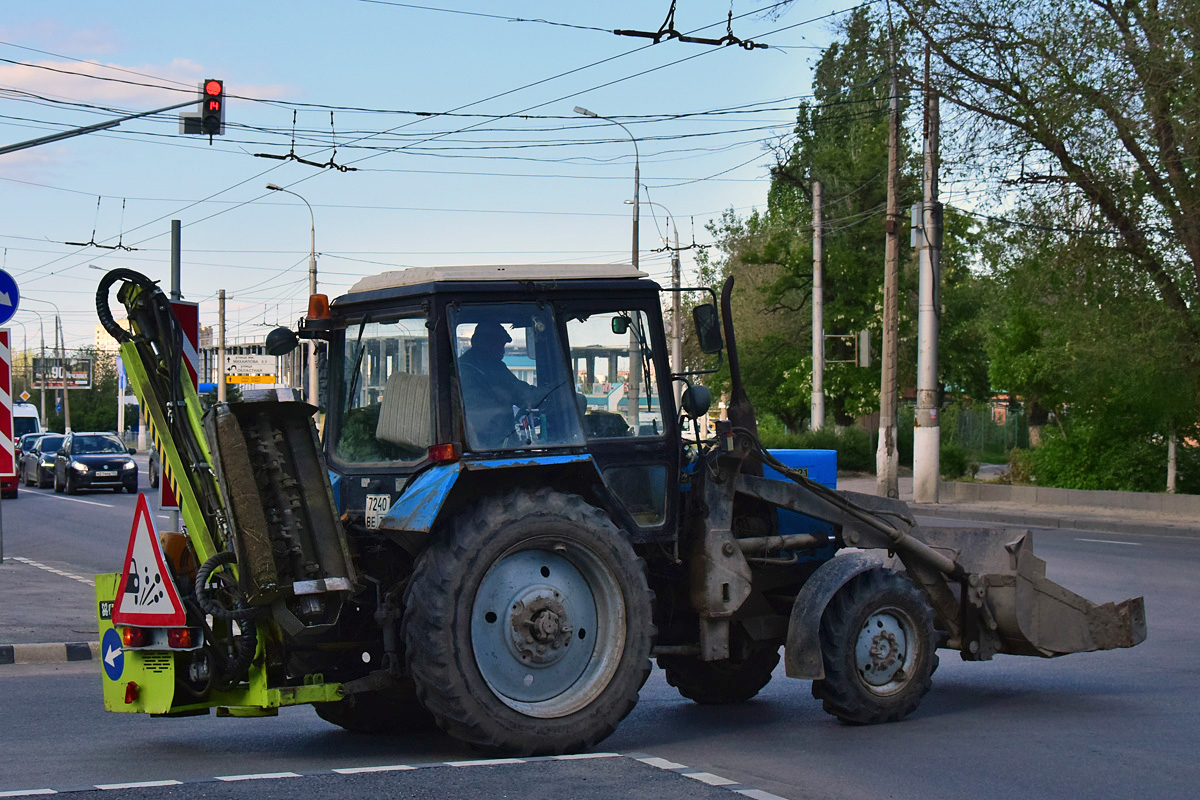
(878, 642)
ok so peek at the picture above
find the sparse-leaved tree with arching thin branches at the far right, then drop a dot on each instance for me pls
(1090, 109)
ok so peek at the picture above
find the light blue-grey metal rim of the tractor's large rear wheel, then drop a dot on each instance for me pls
(548, 629)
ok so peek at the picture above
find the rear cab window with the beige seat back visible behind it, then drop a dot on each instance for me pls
(387, 402)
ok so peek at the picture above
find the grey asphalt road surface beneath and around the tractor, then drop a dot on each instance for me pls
(1108, 725)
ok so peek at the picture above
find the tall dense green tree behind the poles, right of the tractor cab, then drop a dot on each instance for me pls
(841, 140)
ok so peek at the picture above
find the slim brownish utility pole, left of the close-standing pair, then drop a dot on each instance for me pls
(887, 459)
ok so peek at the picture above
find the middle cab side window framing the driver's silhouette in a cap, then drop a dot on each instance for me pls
(518, 390)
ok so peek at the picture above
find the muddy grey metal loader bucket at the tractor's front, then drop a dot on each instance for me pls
(1023, 612)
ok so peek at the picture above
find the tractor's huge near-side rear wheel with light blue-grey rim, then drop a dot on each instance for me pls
(529, 625)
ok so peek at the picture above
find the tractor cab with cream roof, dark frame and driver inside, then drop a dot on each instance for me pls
(463, 380)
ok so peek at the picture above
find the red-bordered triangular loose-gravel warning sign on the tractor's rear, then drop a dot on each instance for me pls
(147, 594)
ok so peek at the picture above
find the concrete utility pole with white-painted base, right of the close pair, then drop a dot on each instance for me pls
(928, 238)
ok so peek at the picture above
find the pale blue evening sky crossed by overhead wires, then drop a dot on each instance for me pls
(447, 131)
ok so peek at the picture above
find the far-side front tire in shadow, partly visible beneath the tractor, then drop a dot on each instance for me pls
(718, 683)
